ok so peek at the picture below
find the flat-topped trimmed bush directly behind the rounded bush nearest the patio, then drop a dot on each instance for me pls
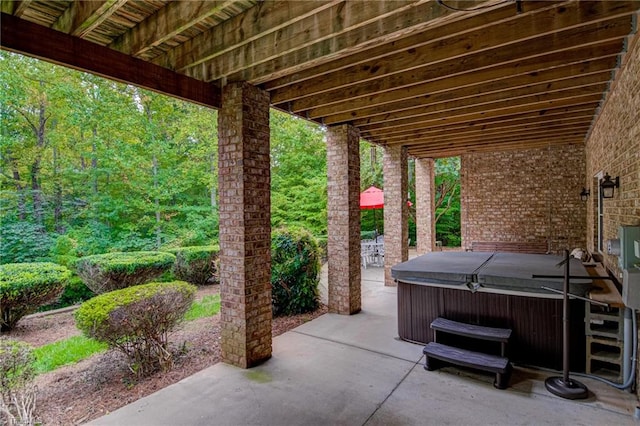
(113, 271)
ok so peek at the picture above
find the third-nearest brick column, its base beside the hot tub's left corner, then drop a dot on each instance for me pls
(396, 211)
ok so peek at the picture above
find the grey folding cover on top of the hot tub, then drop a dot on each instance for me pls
(502, 271)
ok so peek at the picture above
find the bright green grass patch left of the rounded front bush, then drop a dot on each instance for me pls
(65, 352)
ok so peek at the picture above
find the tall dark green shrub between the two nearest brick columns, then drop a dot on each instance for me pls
(295, 272)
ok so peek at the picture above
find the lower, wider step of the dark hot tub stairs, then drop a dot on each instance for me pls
(437, 354)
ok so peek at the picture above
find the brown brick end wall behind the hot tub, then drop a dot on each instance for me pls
(527, 195)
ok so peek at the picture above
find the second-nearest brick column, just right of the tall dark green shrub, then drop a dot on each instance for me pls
(343, 249)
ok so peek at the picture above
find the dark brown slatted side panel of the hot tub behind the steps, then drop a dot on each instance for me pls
(536, 322)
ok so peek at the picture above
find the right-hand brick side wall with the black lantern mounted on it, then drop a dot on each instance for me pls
(613, 147)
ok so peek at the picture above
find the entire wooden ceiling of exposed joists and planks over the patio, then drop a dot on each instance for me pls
(413, 72)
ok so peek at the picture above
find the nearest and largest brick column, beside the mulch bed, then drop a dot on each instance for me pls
(245, 228)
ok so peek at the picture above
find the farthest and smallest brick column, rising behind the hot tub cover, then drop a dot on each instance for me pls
(425, 205)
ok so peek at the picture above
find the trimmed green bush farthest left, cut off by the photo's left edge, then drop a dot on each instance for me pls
(24, 287)
